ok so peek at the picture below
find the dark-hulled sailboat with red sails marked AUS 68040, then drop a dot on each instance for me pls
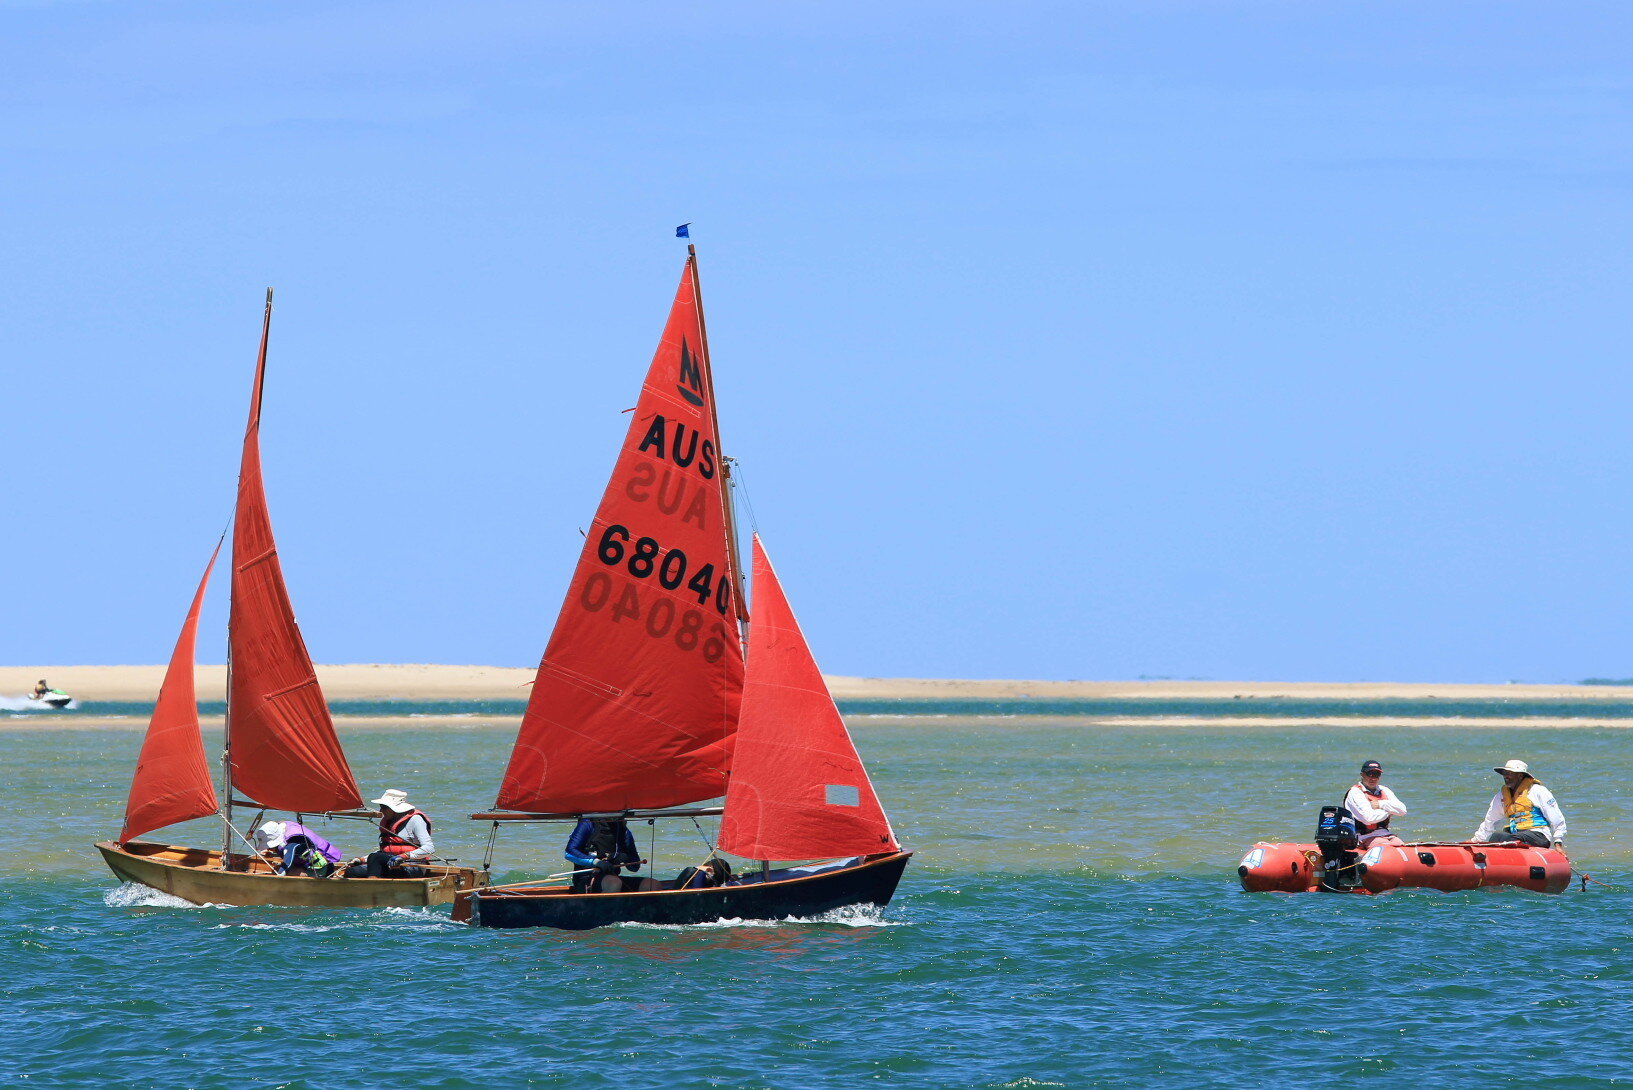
(647, 700)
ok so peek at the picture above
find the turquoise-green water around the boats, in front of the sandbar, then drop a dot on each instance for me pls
(1072, 919)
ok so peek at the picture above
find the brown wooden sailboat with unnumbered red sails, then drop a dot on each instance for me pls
(282, 749)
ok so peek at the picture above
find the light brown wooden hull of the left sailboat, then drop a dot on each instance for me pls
(197, 875)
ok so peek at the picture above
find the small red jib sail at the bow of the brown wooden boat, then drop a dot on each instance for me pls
(172, 775)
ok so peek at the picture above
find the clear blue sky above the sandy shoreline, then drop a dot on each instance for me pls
(1061, 341)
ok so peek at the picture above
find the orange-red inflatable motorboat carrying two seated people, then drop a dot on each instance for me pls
(1377, 869)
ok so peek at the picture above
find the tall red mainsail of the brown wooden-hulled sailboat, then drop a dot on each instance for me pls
(285, 753)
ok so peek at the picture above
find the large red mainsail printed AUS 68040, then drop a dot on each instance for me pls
(638, 695)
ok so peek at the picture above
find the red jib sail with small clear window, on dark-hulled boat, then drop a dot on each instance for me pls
(799, 790)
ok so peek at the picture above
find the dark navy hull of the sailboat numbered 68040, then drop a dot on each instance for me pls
(870, 880)
